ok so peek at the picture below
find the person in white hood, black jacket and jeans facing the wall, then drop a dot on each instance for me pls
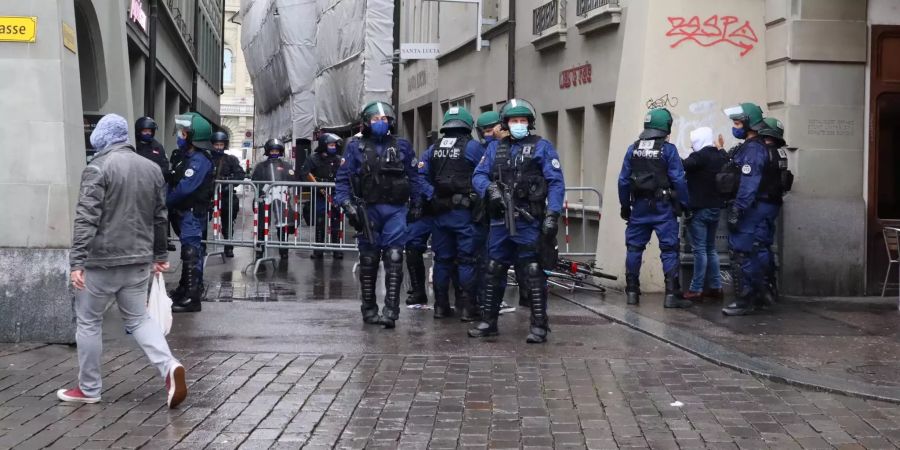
(706, 204)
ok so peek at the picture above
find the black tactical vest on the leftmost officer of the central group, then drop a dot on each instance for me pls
(383, 178)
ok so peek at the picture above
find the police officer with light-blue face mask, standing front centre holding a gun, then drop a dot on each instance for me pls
(521, 172)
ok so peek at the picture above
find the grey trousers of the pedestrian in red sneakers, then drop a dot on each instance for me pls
(128, 286)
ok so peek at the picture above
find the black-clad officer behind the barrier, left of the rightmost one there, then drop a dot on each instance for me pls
(274, 169)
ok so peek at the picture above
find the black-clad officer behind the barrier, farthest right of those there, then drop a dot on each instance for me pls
(322, 166)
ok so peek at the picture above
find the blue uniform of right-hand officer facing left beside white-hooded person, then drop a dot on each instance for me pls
(754, 232)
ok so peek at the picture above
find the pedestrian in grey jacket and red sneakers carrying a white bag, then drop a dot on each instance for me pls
(119, 240)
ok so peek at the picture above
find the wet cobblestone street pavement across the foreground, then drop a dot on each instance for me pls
(283, 361)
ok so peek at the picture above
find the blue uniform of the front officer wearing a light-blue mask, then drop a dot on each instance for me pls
(531, 167)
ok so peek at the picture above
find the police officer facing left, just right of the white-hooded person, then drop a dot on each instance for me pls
(749, 210)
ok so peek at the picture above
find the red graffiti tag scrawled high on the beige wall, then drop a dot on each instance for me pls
(713, 31)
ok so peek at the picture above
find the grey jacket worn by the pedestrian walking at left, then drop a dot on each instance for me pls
(121, 215)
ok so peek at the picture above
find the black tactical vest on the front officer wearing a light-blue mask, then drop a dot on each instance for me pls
(522, 174)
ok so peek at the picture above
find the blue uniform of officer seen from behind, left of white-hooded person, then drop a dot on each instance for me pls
(649, 211)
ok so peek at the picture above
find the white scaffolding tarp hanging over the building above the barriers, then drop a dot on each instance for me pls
(313, 63)
